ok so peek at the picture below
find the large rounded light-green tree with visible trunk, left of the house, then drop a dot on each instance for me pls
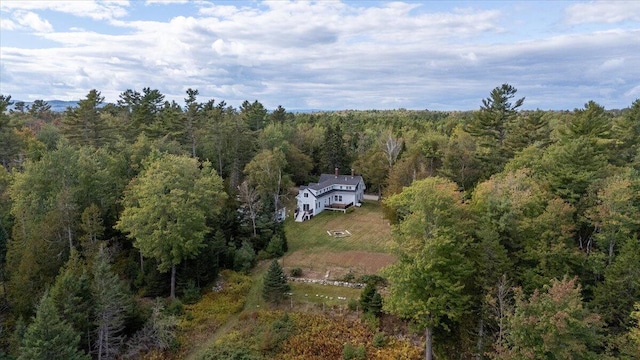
(167, 207)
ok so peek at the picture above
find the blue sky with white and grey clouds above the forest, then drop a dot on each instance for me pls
(325, 55)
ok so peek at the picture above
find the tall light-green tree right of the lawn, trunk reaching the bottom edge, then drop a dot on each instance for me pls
(431, 271)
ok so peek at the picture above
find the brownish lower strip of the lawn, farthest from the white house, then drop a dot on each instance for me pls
(333, 266)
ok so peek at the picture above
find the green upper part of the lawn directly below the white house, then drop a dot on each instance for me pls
(369, 231)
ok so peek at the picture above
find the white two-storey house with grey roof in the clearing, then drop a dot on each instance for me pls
(332, 192)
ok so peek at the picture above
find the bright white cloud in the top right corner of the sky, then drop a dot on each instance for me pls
(602, 12)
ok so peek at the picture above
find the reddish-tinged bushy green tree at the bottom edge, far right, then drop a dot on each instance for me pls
(552, 324)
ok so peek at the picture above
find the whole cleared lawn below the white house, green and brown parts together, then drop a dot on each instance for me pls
(364, 249)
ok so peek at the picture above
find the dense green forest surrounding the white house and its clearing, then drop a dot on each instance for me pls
(516, 231)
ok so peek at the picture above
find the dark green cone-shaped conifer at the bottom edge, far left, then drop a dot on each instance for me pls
(50, 337)
